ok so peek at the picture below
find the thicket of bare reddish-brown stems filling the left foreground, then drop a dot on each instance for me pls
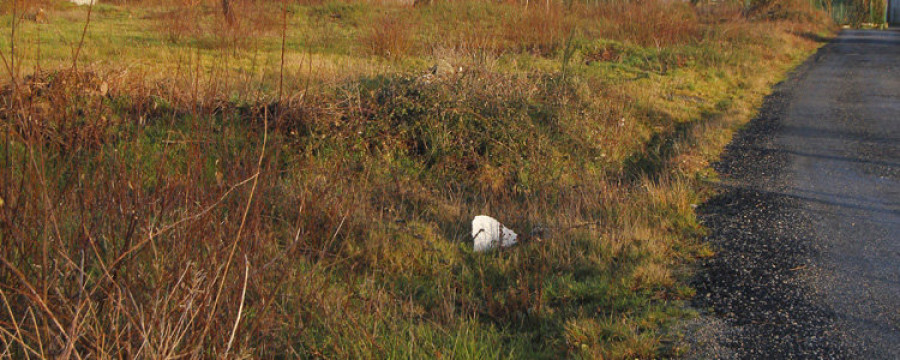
(78, 272)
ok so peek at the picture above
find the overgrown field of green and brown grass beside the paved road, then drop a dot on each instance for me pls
(175, 196)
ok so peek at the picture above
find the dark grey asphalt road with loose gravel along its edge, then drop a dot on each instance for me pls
(807, 226)
